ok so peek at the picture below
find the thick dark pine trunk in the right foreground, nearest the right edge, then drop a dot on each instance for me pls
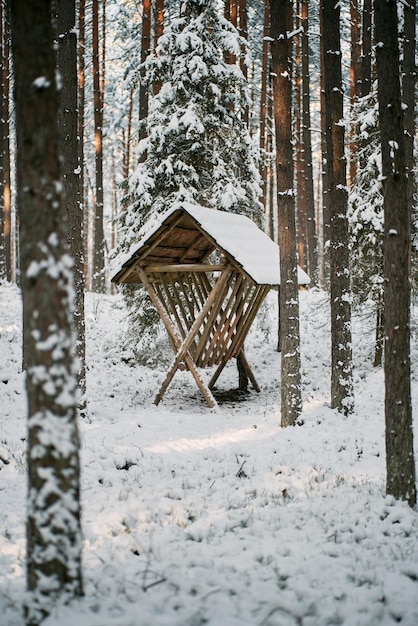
(400, 466)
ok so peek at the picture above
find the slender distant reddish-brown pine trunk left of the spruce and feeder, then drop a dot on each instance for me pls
(99, 282)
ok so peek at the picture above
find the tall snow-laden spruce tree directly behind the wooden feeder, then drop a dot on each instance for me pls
(198, 148)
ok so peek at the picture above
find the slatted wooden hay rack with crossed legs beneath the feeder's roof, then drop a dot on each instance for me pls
(207, 311)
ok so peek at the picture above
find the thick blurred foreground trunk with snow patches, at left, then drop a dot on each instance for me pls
(53, 517)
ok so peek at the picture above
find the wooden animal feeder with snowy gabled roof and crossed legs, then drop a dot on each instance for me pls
(207, 273)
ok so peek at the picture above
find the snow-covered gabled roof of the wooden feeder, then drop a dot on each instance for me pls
(235, 236)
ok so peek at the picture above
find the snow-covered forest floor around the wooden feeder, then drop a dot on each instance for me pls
(192, 516)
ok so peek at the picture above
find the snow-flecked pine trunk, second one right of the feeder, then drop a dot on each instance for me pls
(341, 351)
